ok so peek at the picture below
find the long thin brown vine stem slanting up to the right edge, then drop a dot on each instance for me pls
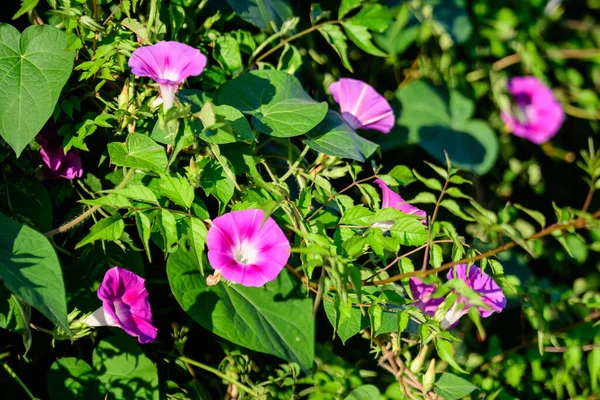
(577, 224)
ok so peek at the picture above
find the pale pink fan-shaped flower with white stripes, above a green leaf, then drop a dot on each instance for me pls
(361, 106)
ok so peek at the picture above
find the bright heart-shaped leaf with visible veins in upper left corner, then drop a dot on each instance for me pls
(34, 67)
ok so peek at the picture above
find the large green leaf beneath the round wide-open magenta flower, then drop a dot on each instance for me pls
(275, 319)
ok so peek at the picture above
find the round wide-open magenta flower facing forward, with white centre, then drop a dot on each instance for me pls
(246, 248)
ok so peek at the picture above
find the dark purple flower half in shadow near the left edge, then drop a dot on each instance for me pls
(58, 164)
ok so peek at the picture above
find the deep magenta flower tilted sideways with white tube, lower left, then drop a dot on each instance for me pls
(124, 305)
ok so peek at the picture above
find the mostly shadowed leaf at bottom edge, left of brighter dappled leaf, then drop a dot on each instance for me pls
(72, 378)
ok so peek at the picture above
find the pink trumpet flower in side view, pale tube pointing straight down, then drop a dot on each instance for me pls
(169, 64)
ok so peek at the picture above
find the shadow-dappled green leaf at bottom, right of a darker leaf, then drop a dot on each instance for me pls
(124, 369)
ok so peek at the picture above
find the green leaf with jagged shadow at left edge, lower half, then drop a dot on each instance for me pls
(29, 268)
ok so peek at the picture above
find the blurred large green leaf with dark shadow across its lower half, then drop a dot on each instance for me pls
(439, 120)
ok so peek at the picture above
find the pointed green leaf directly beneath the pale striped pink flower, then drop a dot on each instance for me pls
(336, 138)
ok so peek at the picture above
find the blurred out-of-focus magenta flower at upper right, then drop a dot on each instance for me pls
(536, 115)
